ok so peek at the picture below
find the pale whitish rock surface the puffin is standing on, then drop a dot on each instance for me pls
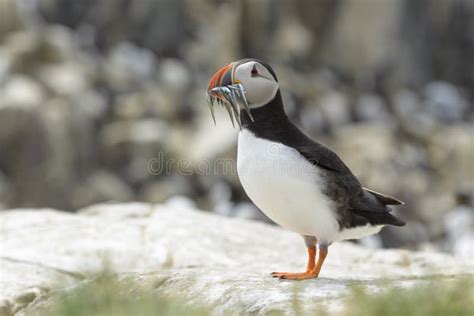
(213, 260)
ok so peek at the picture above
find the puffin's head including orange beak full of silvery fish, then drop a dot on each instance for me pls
(245, 84)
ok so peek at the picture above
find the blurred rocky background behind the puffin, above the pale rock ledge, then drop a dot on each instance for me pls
(92, 91)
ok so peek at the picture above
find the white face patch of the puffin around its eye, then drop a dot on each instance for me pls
(258, 82)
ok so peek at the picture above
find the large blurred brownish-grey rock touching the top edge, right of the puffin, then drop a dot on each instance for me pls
(364, 35)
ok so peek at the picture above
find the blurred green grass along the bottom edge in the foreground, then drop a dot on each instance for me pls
(107, 295)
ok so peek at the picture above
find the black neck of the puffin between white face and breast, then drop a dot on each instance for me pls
(269, 120)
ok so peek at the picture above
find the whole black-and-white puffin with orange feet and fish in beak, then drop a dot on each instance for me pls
(297, 182)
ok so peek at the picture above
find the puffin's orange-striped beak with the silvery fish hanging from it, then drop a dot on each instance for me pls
(230, 94)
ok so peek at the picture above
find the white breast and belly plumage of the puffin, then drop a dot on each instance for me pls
(286, 187)
